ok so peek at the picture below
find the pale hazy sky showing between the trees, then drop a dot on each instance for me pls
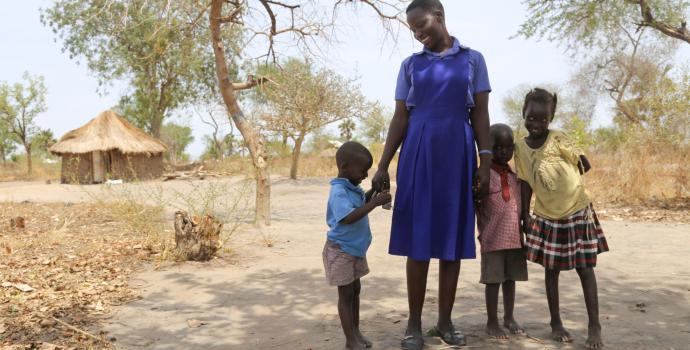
(485, 25)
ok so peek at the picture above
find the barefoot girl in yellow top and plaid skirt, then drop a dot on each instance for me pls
(564, 233)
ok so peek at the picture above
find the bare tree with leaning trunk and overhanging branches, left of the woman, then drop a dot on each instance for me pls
(305, 26)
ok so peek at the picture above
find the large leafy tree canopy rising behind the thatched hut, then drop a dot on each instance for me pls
(160, 48)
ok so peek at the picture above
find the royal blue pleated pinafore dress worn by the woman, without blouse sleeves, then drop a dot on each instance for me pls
(433, 216)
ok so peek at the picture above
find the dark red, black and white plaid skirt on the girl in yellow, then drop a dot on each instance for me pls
(566, 244)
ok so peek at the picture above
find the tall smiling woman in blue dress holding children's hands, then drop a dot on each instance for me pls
(441, 112)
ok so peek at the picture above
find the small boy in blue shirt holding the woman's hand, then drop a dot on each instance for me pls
(349, 236)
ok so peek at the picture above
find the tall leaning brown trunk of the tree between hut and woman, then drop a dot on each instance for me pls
(254, 140)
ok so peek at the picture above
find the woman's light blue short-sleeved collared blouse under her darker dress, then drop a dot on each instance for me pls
(478, 79)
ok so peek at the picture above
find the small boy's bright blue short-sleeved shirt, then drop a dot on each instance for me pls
(344, 198)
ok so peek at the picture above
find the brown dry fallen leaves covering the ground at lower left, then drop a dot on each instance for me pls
(62, 273)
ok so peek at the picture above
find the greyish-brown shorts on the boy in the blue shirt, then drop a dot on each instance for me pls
(342, 268)
